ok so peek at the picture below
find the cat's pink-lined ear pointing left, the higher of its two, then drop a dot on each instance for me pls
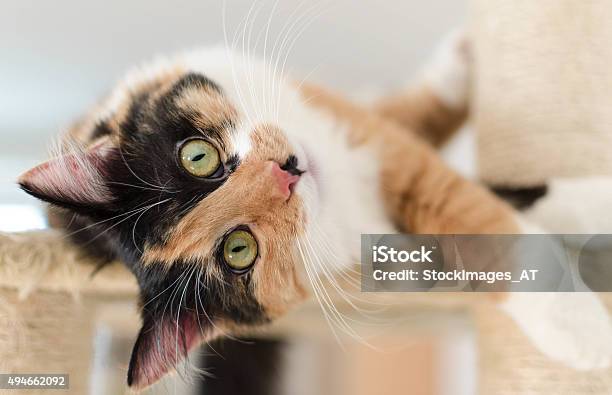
(75, 180)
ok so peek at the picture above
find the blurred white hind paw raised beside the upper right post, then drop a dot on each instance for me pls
(448, 72)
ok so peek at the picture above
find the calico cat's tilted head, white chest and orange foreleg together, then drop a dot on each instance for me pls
(211, 179)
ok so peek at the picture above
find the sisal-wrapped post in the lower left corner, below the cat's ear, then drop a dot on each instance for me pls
(51, 306)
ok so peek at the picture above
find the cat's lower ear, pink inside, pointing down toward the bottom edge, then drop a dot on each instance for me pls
(160, 346)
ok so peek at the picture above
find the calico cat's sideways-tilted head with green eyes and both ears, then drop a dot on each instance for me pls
(194, 181)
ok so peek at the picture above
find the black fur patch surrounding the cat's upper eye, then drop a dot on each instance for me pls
(144, 177)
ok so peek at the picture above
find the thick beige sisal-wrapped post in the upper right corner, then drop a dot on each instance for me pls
(541, 93)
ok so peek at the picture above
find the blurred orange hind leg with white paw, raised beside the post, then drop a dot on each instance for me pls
(436, 105)
